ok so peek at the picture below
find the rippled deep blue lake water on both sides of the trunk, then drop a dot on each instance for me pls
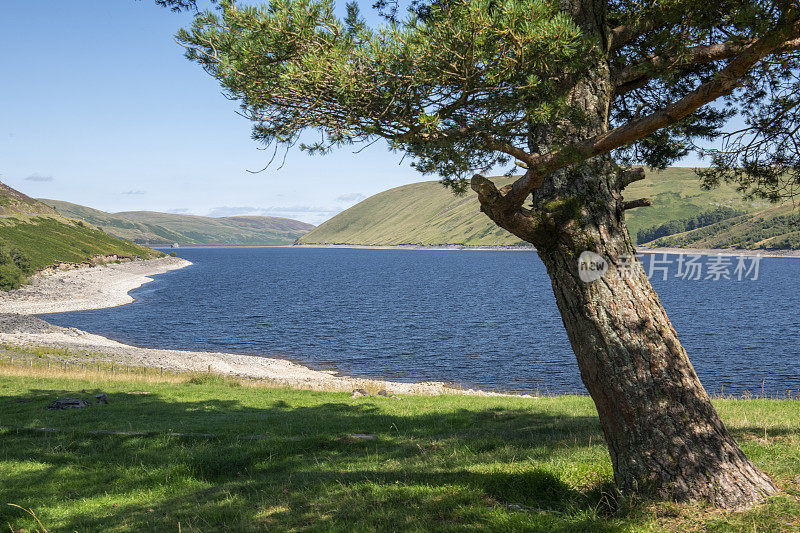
(476, 318)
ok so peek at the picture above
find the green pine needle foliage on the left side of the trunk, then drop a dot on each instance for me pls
(443, 88)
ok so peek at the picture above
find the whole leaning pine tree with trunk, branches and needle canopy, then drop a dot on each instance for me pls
(573, 91)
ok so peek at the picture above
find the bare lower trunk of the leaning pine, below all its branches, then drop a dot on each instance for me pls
(664, 436)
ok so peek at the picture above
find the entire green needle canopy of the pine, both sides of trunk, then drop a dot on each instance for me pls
(464, 85)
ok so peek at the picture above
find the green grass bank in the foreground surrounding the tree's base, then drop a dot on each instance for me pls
(215, 454)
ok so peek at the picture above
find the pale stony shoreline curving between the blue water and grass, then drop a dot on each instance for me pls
(108, 286)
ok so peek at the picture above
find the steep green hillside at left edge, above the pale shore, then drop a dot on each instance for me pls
(34, 236)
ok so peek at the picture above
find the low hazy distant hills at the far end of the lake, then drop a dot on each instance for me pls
(153, 228)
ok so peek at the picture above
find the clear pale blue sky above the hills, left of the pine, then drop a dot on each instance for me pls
(100, 108)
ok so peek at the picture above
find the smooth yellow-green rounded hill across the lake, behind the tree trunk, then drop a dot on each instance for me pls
(427, 214)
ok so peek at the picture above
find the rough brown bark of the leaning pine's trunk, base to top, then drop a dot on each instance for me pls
(663, 434)
